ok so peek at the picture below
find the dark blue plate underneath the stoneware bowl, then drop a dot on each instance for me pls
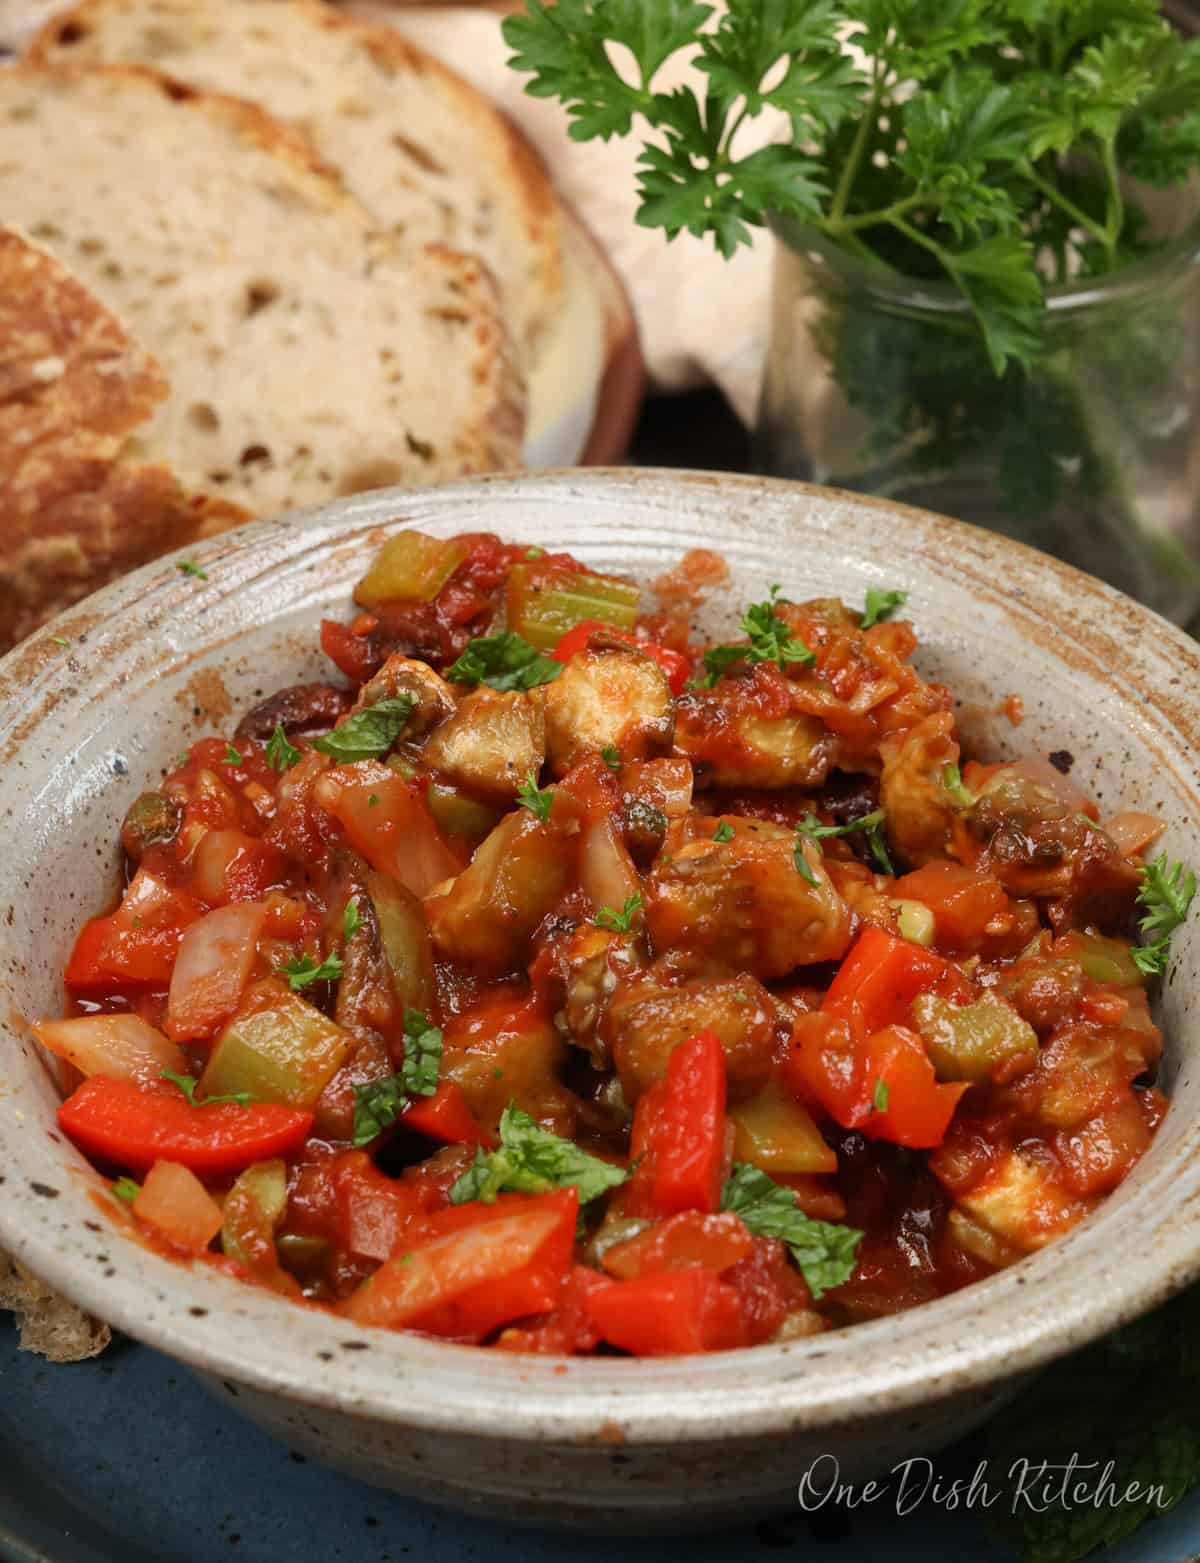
(127, 1461)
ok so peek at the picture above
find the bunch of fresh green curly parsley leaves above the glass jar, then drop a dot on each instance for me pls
(982, 141)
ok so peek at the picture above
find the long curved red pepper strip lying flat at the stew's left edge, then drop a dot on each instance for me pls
(134, 1126)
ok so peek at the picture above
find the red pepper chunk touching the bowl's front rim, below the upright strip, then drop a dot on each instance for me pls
(670, 1314)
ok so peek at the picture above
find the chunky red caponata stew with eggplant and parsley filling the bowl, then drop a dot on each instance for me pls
(557, 984)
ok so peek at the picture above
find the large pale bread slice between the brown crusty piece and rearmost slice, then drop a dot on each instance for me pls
(307, 357)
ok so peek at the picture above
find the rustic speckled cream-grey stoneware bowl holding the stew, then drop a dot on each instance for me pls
(591, 1443)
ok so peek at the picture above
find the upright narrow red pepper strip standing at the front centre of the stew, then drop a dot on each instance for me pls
(679, 1134)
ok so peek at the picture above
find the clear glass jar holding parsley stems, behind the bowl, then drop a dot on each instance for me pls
(880, 384)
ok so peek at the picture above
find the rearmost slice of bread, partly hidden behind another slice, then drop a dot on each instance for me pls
(427, 154)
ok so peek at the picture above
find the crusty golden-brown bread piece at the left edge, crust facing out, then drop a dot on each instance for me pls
(74, 390)
